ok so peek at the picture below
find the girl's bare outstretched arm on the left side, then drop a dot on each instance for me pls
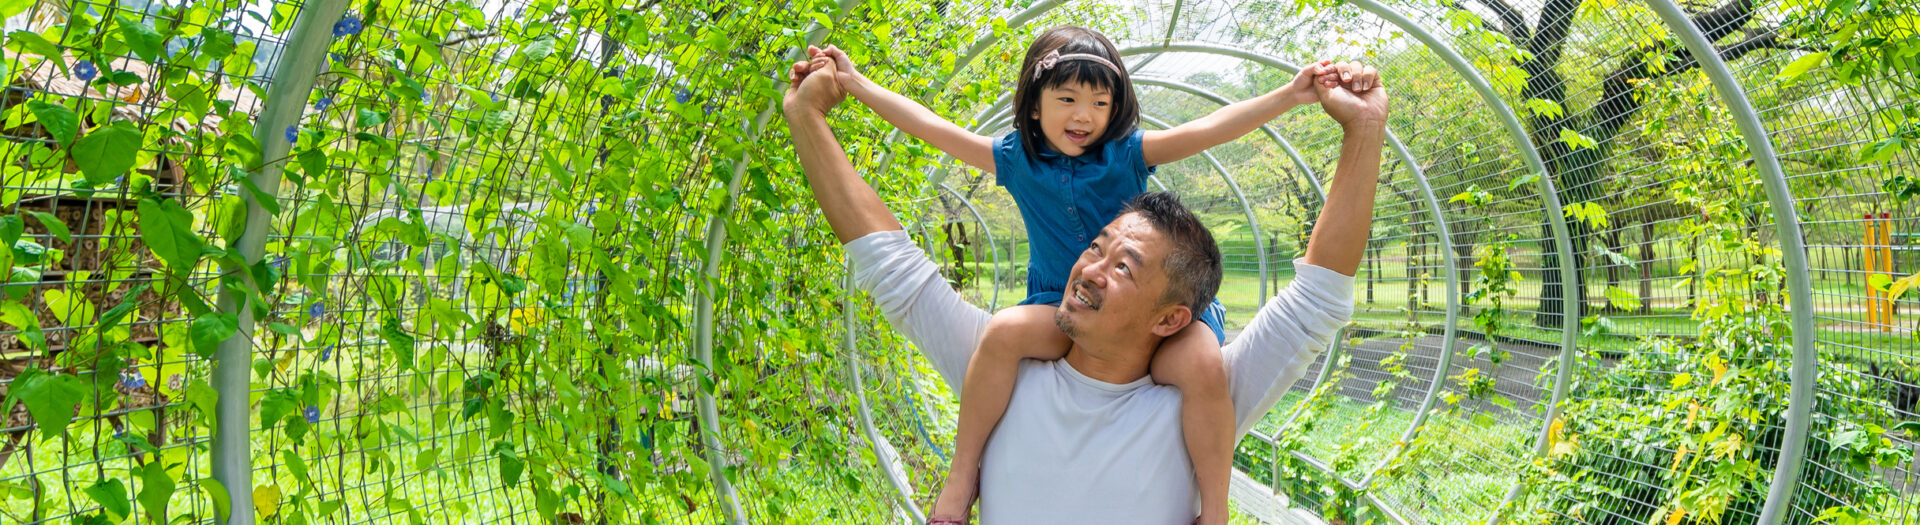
(913, 118)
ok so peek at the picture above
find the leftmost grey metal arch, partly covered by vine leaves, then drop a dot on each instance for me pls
(287, 97)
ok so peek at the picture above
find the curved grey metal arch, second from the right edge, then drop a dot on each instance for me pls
(1556, 218)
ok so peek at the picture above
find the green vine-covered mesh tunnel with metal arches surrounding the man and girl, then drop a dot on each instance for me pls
(362, 262)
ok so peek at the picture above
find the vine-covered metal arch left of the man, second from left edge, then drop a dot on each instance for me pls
(704, 311)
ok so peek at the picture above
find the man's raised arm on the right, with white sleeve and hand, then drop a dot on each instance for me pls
(1295, 326)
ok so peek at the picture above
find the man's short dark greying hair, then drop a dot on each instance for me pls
(1193, 264)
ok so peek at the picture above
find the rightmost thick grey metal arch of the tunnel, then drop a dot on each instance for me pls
(1806, 370)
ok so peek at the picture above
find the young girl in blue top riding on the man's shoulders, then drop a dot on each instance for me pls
(1074, 161)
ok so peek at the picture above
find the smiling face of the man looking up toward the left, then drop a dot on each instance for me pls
(1116, 287)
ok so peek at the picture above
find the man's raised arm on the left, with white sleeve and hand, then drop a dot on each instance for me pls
(884, 261)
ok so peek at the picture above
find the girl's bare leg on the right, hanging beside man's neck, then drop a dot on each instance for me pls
(1191, 361)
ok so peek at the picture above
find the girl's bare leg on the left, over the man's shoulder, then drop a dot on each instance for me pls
(1013, 336)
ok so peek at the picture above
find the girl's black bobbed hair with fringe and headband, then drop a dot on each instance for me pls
(1074, 39)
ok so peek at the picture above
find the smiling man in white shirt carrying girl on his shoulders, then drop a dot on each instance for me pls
(1092, 439)
